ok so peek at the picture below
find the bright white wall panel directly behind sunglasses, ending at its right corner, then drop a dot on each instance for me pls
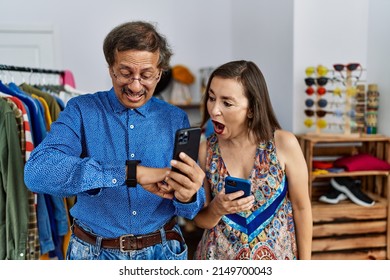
(326, 32)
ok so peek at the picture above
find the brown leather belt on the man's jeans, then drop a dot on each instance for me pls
(129, 241)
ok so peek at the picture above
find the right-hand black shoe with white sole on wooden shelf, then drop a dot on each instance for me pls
(352, 190)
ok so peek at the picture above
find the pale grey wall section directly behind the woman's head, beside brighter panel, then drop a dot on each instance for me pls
(263, 33)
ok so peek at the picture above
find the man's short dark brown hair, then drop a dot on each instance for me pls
(137, 35)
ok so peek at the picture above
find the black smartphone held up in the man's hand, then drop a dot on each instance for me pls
(186, 140)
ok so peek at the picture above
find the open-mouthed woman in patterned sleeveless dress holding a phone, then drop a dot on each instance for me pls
(275, 221)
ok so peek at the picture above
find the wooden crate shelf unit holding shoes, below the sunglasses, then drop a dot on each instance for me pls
(347, 230)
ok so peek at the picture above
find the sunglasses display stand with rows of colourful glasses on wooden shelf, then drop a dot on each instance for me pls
(349, 121)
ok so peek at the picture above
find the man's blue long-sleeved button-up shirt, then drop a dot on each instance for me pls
(84, 154)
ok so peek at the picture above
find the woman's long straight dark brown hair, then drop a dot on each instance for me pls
(264, 122)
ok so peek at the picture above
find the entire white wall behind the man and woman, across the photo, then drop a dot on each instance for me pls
(282, 36)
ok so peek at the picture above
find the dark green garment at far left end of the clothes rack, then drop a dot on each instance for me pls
(13, 192)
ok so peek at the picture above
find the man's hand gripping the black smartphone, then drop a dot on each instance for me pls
(185, 186)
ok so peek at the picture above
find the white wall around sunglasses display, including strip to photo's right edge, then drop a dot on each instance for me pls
(342, 31)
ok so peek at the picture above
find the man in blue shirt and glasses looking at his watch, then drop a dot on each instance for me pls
(113, 149)
